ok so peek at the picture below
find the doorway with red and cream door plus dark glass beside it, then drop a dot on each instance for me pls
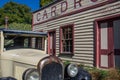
(109, 43)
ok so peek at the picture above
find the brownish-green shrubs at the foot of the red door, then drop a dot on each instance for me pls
(99, 74)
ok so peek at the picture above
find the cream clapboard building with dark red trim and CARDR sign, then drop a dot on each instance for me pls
(82, 31)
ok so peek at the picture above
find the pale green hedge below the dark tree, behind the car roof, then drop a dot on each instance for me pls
(18, 26)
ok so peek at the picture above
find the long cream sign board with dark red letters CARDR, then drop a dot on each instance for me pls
(63, 7)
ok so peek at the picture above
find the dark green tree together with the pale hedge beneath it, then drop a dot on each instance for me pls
(19, 16)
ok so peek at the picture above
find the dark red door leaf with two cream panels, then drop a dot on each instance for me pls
(106, 44)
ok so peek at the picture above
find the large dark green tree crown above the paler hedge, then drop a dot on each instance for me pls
(16, 13)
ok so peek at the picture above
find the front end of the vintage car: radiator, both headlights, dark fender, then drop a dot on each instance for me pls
(52, 68)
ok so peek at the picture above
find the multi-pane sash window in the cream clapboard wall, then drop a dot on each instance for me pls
(66, 39)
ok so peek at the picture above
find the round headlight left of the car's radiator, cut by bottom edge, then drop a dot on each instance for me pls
(31, 74)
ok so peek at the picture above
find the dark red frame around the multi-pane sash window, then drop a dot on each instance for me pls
(61, 38)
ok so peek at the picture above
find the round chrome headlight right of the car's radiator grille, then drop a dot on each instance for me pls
(72, 70)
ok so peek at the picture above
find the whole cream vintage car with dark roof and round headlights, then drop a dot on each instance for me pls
(23, 57)
